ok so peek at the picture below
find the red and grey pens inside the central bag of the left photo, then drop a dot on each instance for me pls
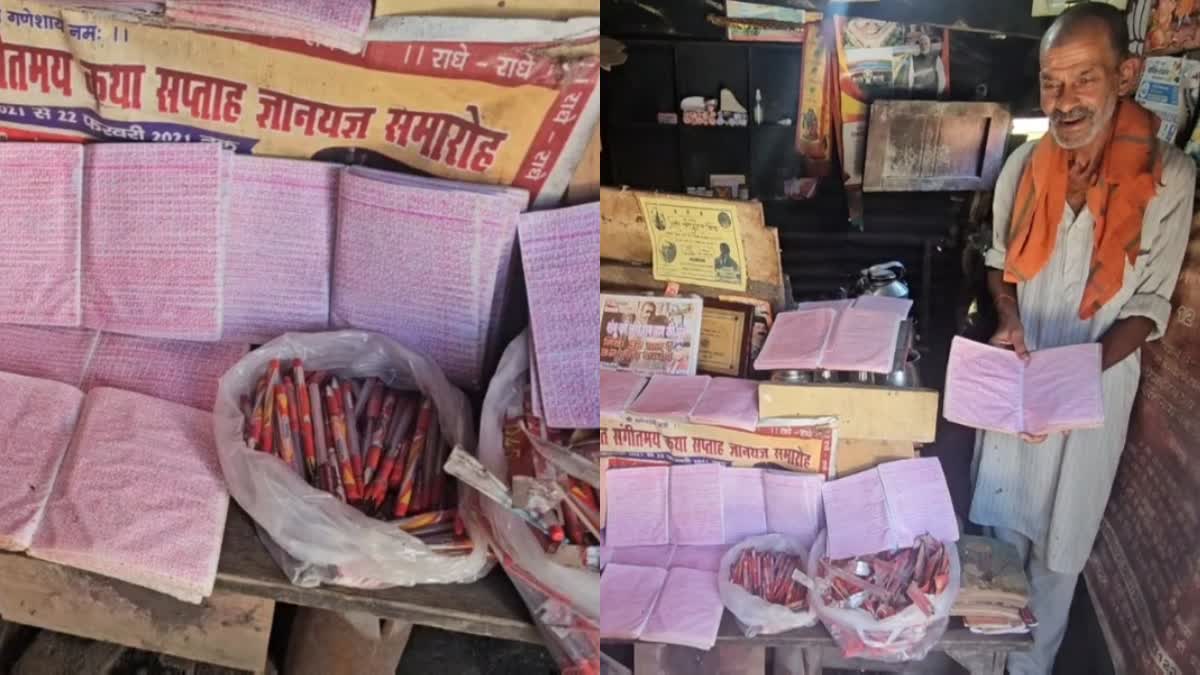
(376, 449)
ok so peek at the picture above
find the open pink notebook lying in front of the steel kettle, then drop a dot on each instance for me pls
(860, 337)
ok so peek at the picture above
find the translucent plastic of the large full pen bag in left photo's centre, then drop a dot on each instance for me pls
(314, 536)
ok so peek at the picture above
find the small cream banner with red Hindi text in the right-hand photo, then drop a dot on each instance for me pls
(794, 445)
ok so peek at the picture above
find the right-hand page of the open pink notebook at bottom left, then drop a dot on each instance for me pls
(140, 497)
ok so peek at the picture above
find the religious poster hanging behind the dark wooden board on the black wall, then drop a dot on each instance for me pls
(879, 59)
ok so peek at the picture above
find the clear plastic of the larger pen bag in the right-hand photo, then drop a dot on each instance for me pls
(908, 636)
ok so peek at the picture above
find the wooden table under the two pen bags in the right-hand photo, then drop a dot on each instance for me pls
(808, 650)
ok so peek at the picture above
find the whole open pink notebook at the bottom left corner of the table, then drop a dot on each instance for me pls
(116, 483)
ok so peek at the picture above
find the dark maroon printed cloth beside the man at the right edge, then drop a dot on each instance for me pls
(1143, 575)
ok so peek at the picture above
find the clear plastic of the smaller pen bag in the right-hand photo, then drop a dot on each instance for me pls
(754, 614)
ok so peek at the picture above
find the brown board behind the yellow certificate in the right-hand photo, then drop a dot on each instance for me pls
(625, 240)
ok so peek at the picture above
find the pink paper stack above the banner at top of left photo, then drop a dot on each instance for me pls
(341, 25)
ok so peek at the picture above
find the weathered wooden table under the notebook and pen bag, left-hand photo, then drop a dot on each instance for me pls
(233, 626)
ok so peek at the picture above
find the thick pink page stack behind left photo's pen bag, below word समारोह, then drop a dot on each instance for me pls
(427, 262)
